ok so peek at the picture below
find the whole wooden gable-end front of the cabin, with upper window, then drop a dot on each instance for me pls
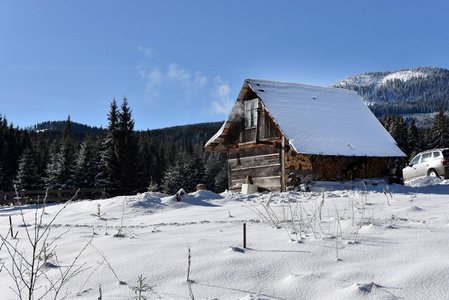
(252, 143)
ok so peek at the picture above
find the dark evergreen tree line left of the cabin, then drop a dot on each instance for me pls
(117, 158)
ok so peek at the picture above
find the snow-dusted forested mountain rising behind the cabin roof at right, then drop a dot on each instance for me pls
(407, 91)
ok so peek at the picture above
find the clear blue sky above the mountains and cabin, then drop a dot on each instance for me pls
(184, 62)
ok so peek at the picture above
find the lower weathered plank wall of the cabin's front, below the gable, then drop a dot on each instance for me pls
(261, 163)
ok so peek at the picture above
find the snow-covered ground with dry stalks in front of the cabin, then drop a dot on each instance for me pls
(340, 240)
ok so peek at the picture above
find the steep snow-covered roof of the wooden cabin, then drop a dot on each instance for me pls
(322, 120)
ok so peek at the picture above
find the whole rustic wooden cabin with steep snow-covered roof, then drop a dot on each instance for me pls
(281, 134)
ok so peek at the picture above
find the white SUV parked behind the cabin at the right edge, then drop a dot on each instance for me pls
(431, 163)
